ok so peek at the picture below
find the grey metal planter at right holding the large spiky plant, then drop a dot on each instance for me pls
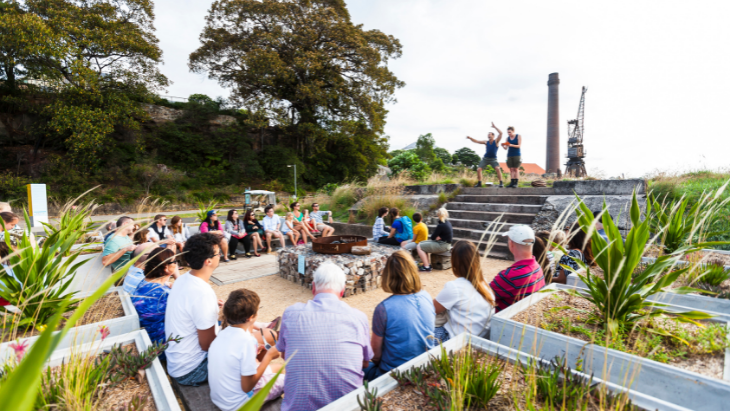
(664, 382)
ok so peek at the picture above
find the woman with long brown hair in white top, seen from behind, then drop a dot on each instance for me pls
(468, 300)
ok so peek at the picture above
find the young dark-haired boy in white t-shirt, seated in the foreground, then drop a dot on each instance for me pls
(233, 368)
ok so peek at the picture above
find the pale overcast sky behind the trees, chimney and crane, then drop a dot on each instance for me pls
(657, 73)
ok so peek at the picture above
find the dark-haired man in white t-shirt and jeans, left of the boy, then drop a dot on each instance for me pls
(192, 312)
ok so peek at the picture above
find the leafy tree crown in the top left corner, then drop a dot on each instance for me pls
(98, 59)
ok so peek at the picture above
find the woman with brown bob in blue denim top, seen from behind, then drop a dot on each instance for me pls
(403, 324)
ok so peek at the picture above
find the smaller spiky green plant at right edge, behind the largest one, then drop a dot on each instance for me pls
(679, 226)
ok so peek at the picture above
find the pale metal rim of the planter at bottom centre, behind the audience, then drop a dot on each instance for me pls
(386, 383)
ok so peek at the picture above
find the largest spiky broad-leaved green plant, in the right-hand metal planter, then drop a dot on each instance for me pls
(621, 299)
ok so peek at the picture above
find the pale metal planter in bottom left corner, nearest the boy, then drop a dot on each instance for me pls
(162, 393)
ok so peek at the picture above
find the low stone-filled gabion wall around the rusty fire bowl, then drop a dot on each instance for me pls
(363, 271)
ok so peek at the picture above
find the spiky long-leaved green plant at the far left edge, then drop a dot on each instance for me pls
(40, 276)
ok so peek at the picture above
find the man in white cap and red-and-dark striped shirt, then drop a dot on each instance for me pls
(524, 277)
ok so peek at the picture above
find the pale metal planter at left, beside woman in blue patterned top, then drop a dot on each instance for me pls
(90, 332)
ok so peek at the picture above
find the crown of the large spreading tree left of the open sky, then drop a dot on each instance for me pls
(304, 66)
